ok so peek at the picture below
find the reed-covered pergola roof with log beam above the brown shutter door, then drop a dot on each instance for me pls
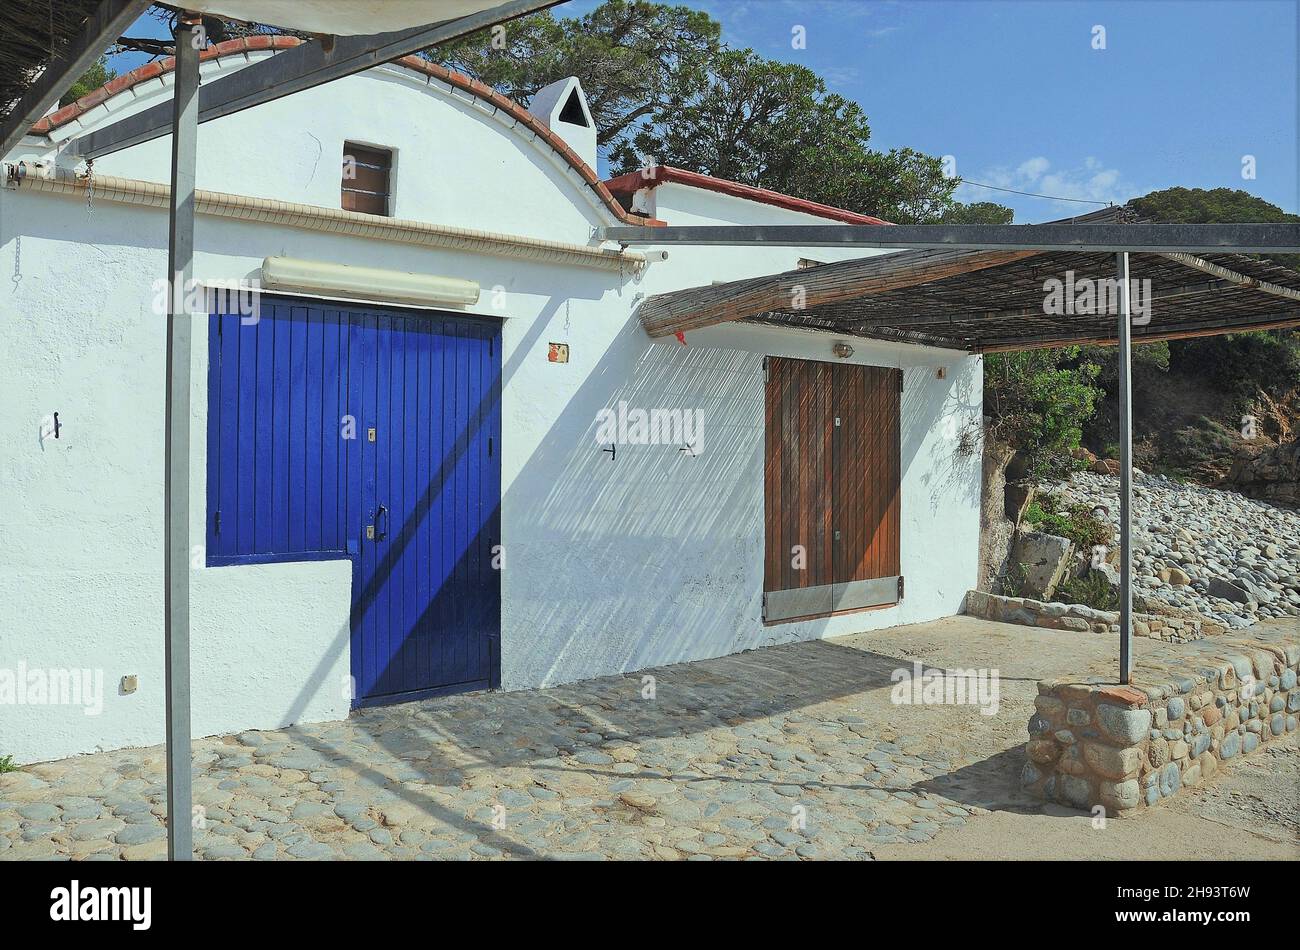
(994, 301)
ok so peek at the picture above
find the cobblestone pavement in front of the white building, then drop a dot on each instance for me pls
(791, 752)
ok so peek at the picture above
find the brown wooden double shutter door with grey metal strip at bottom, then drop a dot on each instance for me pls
(833, 474)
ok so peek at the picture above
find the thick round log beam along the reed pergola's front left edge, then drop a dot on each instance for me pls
(796, 290)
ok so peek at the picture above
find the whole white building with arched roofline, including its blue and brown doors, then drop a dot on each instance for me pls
(333, 571)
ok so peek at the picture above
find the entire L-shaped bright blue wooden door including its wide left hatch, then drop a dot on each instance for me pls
(371, 435)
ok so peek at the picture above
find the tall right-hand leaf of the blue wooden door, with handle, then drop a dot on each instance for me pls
(427, 591)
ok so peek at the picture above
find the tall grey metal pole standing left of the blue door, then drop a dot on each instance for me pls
(185, 141)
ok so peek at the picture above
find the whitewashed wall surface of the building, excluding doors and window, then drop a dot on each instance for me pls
(651, 559)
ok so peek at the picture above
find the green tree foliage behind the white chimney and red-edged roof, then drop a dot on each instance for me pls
(665, 90)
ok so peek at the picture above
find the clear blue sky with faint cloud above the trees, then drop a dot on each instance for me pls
(1184, 92)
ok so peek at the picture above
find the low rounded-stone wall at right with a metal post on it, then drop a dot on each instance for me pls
(1190, 710)
